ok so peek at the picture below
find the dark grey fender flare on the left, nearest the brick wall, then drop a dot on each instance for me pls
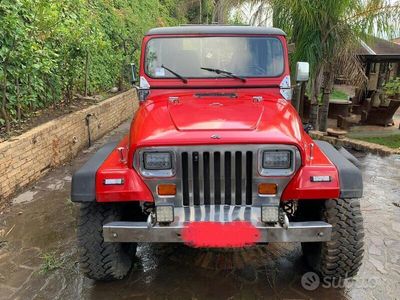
(83, 185)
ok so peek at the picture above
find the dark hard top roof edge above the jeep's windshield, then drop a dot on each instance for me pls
(215, 29)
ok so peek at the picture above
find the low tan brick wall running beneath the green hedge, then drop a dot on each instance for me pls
(29, 156)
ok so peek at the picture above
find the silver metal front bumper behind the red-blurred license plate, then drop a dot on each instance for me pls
(312, 231)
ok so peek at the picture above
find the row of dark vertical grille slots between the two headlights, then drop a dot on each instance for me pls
(217, 177)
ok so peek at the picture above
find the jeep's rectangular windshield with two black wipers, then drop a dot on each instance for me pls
(193, 57)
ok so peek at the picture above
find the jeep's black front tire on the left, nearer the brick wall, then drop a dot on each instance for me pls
(101, 260)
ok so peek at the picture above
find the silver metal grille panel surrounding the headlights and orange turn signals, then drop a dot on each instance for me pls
(217, 175)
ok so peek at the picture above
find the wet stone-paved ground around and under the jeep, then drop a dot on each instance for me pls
(38, 258)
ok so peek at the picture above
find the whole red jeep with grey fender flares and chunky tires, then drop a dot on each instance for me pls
(217, 156)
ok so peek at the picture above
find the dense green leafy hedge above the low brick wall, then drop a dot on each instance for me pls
(51, 49)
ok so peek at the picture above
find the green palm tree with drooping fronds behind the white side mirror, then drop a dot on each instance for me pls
(325, 33)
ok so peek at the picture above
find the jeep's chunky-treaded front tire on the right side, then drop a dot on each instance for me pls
(342, 256)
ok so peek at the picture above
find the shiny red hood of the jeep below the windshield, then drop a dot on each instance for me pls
(193, 120)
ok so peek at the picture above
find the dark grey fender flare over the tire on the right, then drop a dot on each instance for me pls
(350, 177)
